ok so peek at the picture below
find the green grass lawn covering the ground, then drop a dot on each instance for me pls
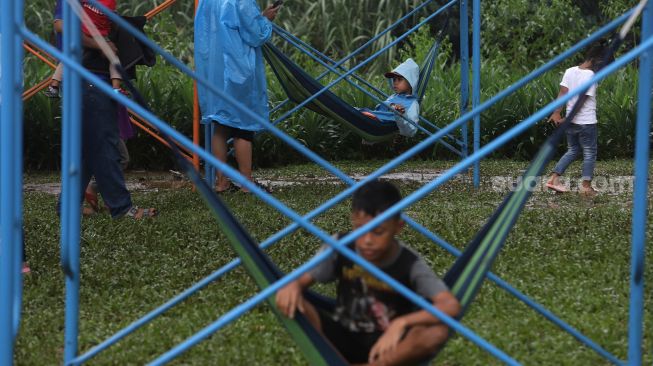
(570, 254)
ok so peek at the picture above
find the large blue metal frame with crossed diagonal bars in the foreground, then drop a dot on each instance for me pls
(70, 248)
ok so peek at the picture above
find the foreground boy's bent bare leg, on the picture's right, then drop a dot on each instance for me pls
(419, 343)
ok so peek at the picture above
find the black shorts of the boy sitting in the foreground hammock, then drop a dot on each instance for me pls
(353, 346)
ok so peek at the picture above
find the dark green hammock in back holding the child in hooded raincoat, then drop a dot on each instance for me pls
(299, 86)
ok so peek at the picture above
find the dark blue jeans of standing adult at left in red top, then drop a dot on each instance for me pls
(100, 150)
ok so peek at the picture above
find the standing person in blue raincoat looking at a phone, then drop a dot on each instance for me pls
(228, 39)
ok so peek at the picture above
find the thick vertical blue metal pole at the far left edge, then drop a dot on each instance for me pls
(10, 120)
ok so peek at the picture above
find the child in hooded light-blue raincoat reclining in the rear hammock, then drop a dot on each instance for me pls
(404, 83)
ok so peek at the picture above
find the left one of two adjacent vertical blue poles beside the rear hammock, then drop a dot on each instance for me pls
(464, 71)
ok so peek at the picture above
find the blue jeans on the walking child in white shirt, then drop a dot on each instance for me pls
(581, 141)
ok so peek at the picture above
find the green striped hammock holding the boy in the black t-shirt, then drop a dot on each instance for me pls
(464, 278)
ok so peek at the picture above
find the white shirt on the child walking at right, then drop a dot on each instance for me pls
(573, 78)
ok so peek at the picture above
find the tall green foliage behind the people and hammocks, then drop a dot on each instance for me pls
(517, 36)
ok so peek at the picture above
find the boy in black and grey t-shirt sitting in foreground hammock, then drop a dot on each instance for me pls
(373, 323)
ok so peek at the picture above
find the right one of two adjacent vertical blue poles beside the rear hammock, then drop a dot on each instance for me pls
(476, 83)
